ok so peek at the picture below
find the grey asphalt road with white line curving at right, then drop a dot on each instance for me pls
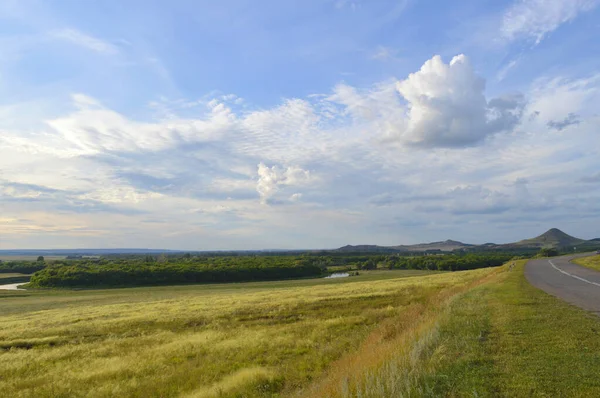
(573, 283)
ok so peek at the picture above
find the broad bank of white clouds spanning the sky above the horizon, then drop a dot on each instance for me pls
(179, 178)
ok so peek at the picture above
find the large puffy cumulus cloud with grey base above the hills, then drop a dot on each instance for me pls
(447, 106)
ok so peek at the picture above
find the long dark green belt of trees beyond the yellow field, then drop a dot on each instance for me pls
(146, 270)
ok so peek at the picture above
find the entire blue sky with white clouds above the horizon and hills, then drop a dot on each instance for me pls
(238, 124)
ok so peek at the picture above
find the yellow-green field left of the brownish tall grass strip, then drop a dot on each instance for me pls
(251, 339)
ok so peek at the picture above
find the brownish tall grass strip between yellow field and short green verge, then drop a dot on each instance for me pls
(398, 356)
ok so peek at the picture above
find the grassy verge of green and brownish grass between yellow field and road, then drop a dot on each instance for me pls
(502, 338)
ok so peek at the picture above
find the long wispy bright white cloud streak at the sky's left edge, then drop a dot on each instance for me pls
(94, 129)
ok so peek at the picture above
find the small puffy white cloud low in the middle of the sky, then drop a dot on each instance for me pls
(271, 178)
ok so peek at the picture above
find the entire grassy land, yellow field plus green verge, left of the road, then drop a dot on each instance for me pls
(482, 333)
